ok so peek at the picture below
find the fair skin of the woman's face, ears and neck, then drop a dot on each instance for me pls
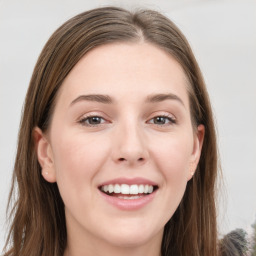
(127, 142)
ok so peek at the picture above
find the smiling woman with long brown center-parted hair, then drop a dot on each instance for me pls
(117, 149)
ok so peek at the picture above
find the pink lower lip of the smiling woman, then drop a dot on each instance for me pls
(129, 204)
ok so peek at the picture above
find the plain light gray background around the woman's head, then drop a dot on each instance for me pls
(223, 37)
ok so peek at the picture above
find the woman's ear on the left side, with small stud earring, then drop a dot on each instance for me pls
(44, 155)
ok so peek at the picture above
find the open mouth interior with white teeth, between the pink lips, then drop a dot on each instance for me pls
(124, 191)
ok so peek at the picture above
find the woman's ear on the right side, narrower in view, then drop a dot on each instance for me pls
(197, 148)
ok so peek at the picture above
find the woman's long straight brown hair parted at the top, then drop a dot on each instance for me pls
(38, 226)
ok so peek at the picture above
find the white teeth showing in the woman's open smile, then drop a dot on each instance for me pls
(126, 189)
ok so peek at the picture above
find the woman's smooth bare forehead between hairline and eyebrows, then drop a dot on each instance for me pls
(125, 69)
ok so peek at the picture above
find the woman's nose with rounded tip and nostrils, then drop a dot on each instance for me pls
(129, 146)
